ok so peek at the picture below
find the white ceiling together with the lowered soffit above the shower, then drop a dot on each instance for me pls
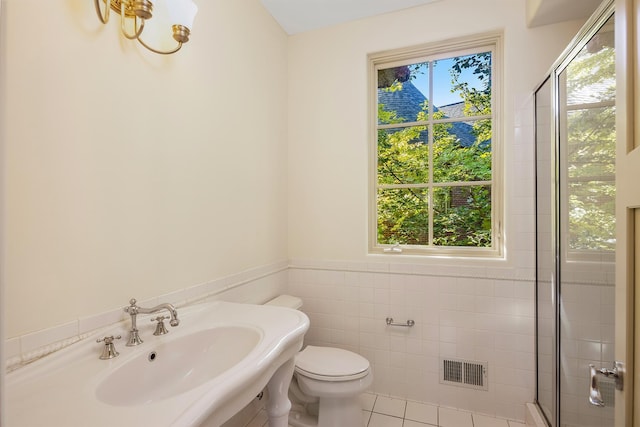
(297, 16)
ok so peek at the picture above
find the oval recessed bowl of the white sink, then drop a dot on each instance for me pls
(175, 366)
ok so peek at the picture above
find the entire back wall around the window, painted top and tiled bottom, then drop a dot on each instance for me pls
(473, 309)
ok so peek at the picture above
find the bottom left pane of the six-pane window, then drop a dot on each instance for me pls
(403, 216)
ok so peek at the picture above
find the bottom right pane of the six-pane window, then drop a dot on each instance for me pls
(462, 216)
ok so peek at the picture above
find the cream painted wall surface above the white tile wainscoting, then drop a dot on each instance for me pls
(129, 174)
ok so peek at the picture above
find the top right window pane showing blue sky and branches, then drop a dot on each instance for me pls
(462, 86)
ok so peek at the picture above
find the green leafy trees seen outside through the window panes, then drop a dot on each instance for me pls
(424, 169)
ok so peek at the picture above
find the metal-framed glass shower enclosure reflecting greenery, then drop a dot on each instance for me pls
(575, 228)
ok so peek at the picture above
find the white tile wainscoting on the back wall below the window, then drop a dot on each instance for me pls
(464, 312)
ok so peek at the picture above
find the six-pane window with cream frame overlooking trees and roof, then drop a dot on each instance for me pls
(435, 149)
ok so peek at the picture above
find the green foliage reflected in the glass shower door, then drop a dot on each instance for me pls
(591, 144)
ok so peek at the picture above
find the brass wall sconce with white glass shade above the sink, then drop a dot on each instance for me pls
(136, 12)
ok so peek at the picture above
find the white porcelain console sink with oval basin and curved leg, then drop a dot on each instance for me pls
(204, 371)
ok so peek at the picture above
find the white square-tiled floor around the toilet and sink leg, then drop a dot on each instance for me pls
(381, 411)
